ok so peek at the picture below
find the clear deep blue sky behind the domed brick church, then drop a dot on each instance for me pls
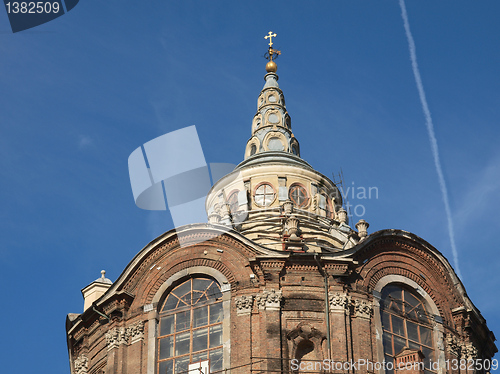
(80, 93)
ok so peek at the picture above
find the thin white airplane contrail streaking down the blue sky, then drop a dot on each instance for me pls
(432, 135)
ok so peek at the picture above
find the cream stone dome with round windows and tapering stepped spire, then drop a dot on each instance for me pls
(273, 196)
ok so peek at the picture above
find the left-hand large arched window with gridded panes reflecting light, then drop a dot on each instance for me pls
(190, 327)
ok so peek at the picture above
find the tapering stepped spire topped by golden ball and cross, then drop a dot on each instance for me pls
(271, 125)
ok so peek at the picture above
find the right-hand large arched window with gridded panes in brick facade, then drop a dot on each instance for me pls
(406, 322)
